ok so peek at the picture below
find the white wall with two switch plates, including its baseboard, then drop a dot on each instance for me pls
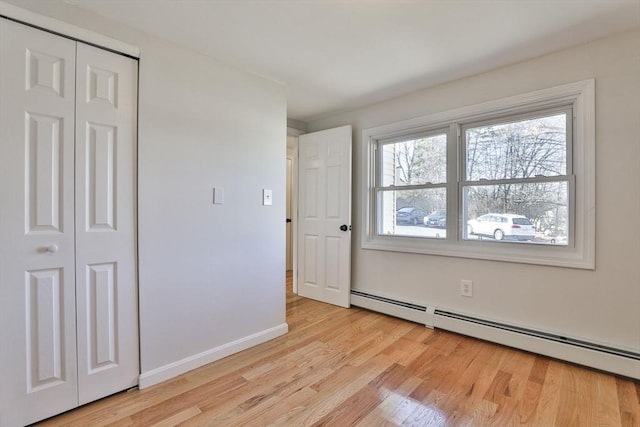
(211, 276)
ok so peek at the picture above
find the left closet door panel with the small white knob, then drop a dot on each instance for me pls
(37, 269)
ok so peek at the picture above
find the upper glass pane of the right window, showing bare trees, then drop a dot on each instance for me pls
(520, 149)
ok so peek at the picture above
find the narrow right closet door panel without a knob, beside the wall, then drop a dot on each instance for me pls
(105, 223)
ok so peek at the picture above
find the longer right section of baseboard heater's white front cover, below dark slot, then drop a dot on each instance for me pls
(583, 356)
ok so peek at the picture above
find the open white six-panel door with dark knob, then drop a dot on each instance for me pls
(324, 216)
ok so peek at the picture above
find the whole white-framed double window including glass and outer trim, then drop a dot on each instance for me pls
(509, 180)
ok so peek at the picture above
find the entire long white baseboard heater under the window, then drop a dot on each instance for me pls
(616, 360)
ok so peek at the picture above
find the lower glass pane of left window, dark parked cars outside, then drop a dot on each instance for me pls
(404, 212)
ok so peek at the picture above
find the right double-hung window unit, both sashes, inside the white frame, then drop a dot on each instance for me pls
(519, 166)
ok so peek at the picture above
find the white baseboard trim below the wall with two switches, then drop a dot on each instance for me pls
(163, 373)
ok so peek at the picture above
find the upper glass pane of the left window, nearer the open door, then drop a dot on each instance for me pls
(417, 161)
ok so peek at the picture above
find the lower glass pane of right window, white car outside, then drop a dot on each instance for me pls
(534, 213)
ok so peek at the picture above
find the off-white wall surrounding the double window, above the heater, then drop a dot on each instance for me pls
(602, 305)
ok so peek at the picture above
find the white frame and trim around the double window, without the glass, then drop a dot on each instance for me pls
(580, 253)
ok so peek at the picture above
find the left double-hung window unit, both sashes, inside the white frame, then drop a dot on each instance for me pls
(412, 172)
